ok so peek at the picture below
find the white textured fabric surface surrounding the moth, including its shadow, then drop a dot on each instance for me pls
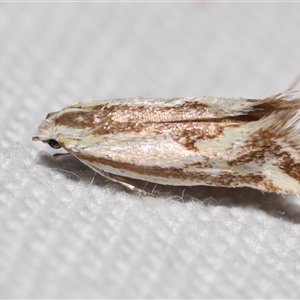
(67, 233)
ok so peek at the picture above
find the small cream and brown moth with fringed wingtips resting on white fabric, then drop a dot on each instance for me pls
(229, 142)
